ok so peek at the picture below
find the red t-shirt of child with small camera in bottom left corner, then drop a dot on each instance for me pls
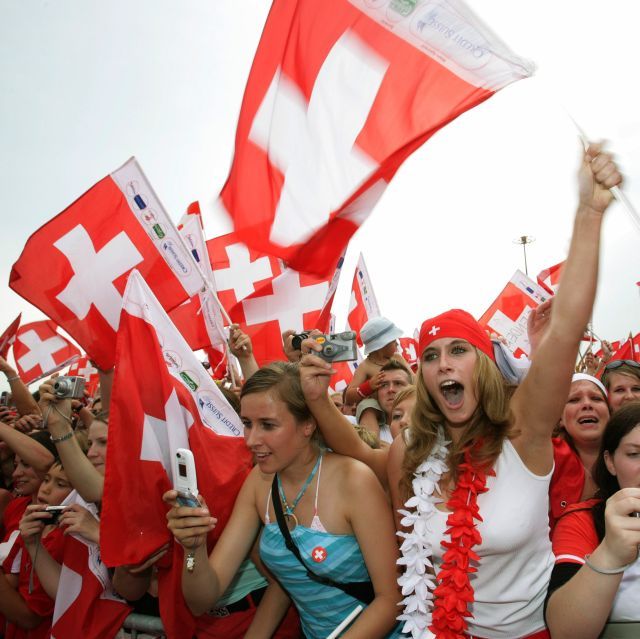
(38, 601)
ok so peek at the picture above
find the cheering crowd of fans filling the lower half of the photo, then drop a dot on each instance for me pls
(447, 501)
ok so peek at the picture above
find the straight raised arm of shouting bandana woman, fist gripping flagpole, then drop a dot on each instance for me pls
(538, 401)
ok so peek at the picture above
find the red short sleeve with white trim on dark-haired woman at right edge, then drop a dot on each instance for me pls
(575, 534)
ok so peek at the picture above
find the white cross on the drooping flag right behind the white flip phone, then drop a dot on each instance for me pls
(161, 438)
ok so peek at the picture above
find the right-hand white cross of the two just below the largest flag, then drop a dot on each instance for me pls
(288, 303)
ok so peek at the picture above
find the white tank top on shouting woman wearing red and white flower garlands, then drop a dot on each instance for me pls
(515, 554)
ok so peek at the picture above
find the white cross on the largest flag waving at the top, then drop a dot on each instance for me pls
(314, 144)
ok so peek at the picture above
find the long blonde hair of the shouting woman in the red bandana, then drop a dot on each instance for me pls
(489, 424)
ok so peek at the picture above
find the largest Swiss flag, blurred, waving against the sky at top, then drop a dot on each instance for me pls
(339, 95)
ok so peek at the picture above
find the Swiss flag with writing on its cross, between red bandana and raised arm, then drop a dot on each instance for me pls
(508, 314)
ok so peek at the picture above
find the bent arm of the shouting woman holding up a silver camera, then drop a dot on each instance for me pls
(337, 430)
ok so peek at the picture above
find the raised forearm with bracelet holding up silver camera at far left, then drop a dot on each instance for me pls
(83, 476)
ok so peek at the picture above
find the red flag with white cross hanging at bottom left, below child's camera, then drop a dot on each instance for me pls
(86, 604)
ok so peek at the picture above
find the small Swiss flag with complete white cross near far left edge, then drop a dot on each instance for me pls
(39, 350)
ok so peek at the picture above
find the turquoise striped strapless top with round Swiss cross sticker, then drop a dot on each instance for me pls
(338, 557)
